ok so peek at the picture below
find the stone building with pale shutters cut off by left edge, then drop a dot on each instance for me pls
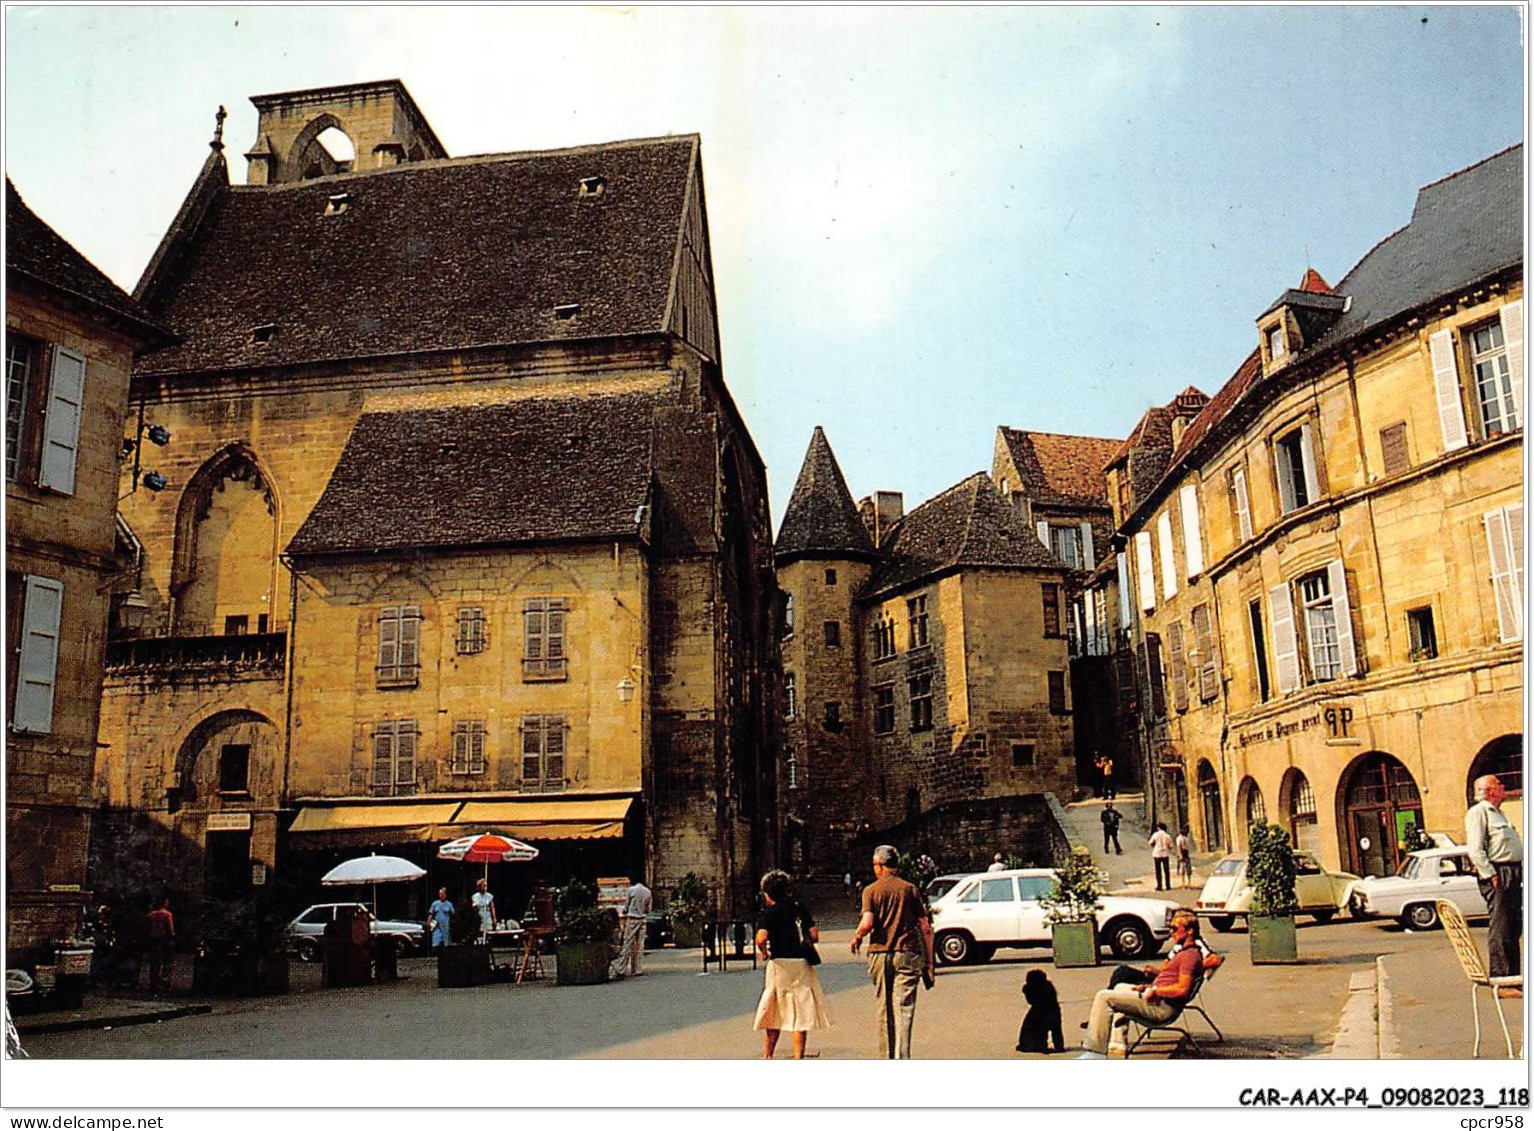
(71, 337)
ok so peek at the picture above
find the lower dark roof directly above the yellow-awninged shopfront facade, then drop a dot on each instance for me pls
(536, 470)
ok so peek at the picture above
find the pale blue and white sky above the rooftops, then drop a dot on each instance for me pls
(926, 222)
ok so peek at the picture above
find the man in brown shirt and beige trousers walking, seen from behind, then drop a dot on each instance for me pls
(900, 937)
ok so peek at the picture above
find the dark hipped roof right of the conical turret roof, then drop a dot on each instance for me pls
(967, 526)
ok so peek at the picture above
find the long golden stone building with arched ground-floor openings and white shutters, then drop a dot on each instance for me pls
(1329, 575)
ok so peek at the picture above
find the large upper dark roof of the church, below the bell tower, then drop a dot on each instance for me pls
(432, 256)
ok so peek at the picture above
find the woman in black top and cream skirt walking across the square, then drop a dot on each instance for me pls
(792, 998)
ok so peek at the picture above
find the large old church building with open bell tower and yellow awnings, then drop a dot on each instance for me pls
(463, 530)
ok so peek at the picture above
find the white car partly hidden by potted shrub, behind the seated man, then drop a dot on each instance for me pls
(1002, 909)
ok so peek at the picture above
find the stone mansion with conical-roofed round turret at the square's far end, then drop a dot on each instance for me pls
(924, 664)
